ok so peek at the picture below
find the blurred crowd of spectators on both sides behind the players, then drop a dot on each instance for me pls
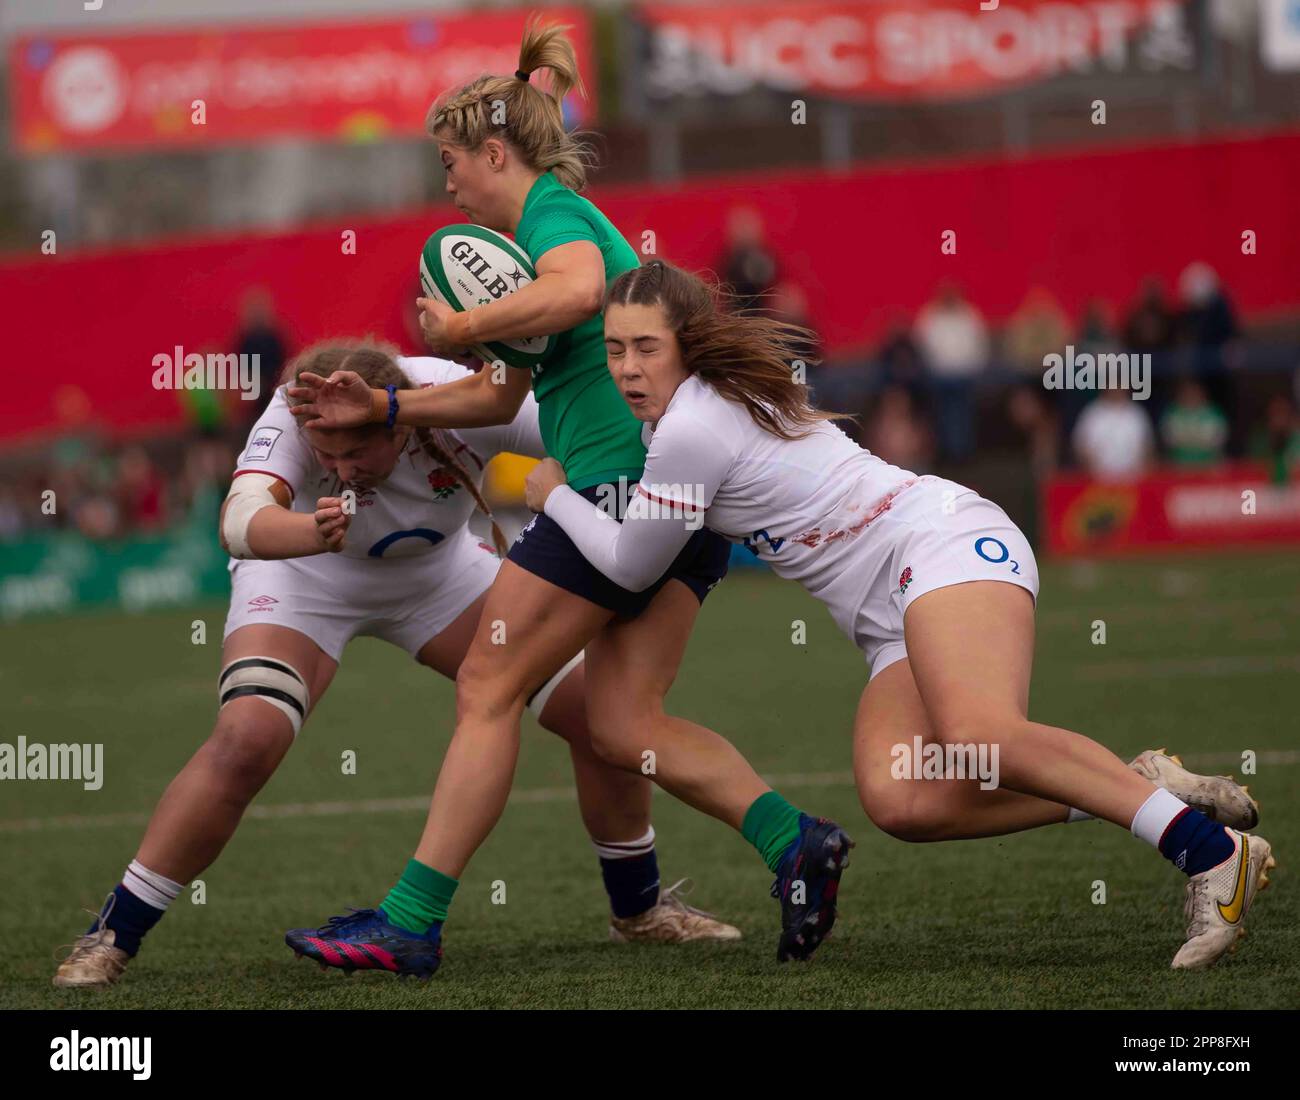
(941, 389)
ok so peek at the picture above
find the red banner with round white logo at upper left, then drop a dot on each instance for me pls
(356, 81)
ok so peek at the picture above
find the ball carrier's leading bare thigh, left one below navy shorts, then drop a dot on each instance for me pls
(527, 631)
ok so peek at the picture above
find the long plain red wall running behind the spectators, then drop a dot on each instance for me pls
(1021, 223)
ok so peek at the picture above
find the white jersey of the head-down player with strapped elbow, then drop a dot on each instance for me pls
(422, 505)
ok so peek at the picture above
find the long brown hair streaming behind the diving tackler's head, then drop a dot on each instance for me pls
(746, 356)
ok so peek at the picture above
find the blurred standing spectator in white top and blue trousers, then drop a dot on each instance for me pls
(954, 343)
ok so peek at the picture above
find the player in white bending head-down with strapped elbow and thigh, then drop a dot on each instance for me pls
(336, 534)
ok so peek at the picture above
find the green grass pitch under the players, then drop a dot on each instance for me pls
(1203, 655)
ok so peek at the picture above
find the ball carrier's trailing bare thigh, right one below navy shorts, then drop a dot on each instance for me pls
(631, 665)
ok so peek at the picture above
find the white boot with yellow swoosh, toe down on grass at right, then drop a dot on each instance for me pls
(1219, 900)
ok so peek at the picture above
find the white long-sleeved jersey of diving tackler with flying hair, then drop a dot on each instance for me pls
(798, 504)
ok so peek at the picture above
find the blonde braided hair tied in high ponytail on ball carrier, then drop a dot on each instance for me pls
(534, 118)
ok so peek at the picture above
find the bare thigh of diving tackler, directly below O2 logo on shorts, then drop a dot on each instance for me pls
(972, 653)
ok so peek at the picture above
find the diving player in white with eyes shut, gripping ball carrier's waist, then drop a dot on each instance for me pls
(935, 584)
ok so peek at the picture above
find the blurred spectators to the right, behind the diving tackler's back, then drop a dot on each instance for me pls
(942, 384)
